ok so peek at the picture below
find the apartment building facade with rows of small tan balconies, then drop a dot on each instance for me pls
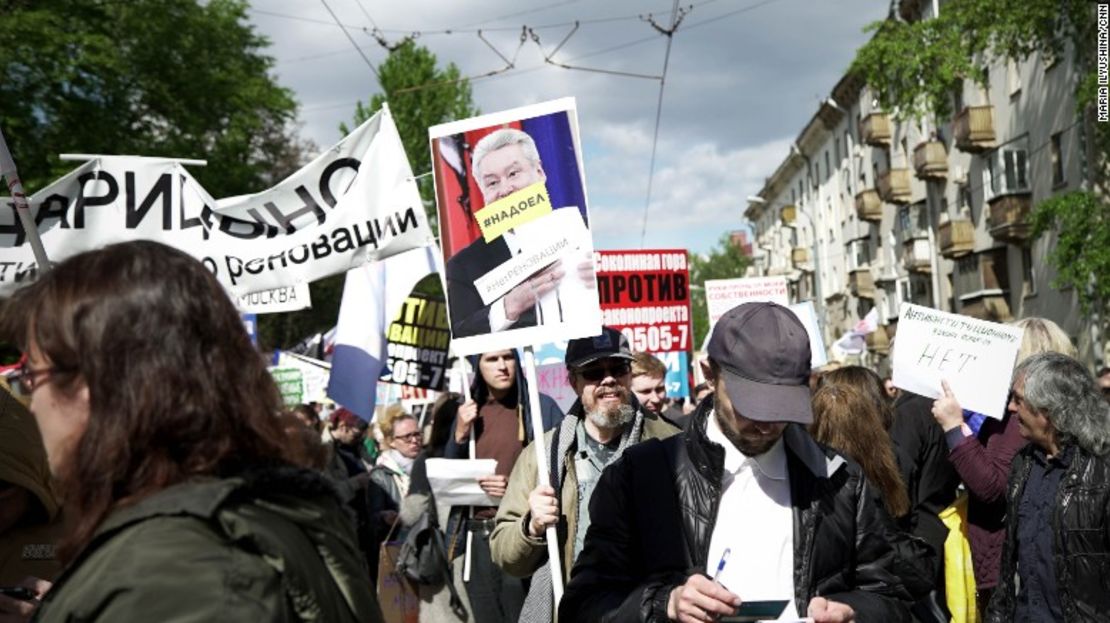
(872, 212)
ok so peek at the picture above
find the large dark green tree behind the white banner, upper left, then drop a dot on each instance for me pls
(176, 78)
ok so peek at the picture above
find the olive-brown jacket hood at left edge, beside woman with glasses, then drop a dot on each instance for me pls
(23, 456)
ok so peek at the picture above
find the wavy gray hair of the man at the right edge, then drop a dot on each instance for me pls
(1065, 391)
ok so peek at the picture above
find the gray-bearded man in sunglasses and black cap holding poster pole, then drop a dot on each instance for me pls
(603, 423)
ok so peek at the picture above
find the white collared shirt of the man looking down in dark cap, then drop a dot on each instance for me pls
(755, 521)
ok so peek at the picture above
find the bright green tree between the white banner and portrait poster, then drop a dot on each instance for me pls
(420, 96)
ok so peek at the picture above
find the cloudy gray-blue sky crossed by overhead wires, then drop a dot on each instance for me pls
(744, 76)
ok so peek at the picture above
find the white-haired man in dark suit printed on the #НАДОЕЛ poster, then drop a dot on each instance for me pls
(506, 162)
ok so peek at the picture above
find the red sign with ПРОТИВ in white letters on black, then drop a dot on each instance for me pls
(645, 295)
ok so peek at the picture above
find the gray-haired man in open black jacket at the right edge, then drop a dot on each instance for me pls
(1056, 562)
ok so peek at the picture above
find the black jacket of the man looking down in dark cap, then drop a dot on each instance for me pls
(648, 537)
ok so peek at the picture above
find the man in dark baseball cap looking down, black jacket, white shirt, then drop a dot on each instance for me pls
(743, 507)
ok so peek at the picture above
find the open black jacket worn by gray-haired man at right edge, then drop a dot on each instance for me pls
(1081, 545)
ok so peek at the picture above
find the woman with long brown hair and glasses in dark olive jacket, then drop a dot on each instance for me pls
(162, 424)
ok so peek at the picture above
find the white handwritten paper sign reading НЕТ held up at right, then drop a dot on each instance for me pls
(976, 358)
